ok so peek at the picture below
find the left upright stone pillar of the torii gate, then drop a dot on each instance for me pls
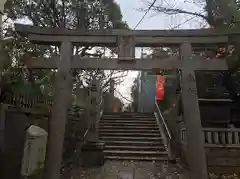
(58, 118)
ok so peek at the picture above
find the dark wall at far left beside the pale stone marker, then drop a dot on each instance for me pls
(13, 144)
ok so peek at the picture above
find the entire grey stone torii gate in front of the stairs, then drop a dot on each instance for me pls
(126, 41)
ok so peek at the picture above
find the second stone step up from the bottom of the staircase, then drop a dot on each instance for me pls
(134, 153)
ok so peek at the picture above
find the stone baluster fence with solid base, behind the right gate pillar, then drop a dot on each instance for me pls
(221, 145)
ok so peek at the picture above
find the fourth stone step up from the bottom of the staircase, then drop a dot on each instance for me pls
(133, 143)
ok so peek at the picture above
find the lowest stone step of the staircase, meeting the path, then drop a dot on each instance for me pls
(164, 158)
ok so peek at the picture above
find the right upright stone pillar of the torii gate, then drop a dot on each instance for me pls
(195, 140)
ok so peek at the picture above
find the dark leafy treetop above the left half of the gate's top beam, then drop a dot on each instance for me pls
(91, 14)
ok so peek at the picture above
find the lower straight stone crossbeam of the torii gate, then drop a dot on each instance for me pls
(199, 63)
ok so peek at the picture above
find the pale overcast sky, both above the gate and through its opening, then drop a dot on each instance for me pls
(132, 15)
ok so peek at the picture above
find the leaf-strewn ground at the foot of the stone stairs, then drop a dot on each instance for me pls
(129, 170)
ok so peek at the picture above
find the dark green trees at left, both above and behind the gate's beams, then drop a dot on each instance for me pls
(74, 14)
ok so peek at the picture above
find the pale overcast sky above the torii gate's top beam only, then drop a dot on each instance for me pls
(132, 14)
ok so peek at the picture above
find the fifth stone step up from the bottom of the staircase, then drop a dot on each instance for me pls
(116, 138)
